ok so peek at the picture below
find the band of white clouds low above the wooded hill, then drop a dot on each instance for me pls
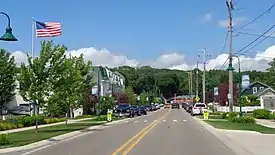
(172, 60)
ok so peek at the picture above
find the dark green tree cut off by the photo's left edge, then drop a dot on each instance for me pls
(7, 79)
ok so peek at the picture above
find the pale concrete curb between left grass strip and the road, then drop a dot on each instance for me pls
(67, 136)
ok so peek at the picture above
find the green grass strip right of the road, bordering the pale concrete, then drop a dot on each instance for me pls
(240, 126)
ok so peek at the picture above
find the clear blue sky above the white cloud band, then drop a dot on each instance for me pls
(141, 30)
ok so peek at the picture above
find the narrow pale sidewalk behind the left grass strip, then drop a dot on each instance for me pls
(45, 125)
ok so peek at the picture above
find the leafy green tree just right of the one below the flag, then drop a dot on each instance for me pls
(70, 79)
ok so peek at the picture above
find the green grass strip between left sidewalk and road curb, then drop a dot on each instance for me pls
(29, 136)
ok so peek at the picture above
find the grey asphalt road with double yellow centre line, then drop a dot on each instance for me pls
(168, 131)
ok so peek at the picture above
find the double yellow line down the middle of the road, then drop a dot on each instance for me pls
(131, 143)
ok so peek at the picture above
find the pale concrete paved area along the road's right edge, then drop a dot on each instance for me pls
(243, 142)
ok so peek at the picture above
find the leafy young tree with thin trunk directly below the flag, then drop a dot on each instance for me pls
(34, 77)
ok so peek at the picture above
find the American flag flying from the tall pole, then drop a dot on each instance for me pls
(48, 29)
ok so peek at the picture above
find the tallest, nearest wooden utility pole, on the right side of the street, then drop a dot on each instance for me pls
(230, 68)
